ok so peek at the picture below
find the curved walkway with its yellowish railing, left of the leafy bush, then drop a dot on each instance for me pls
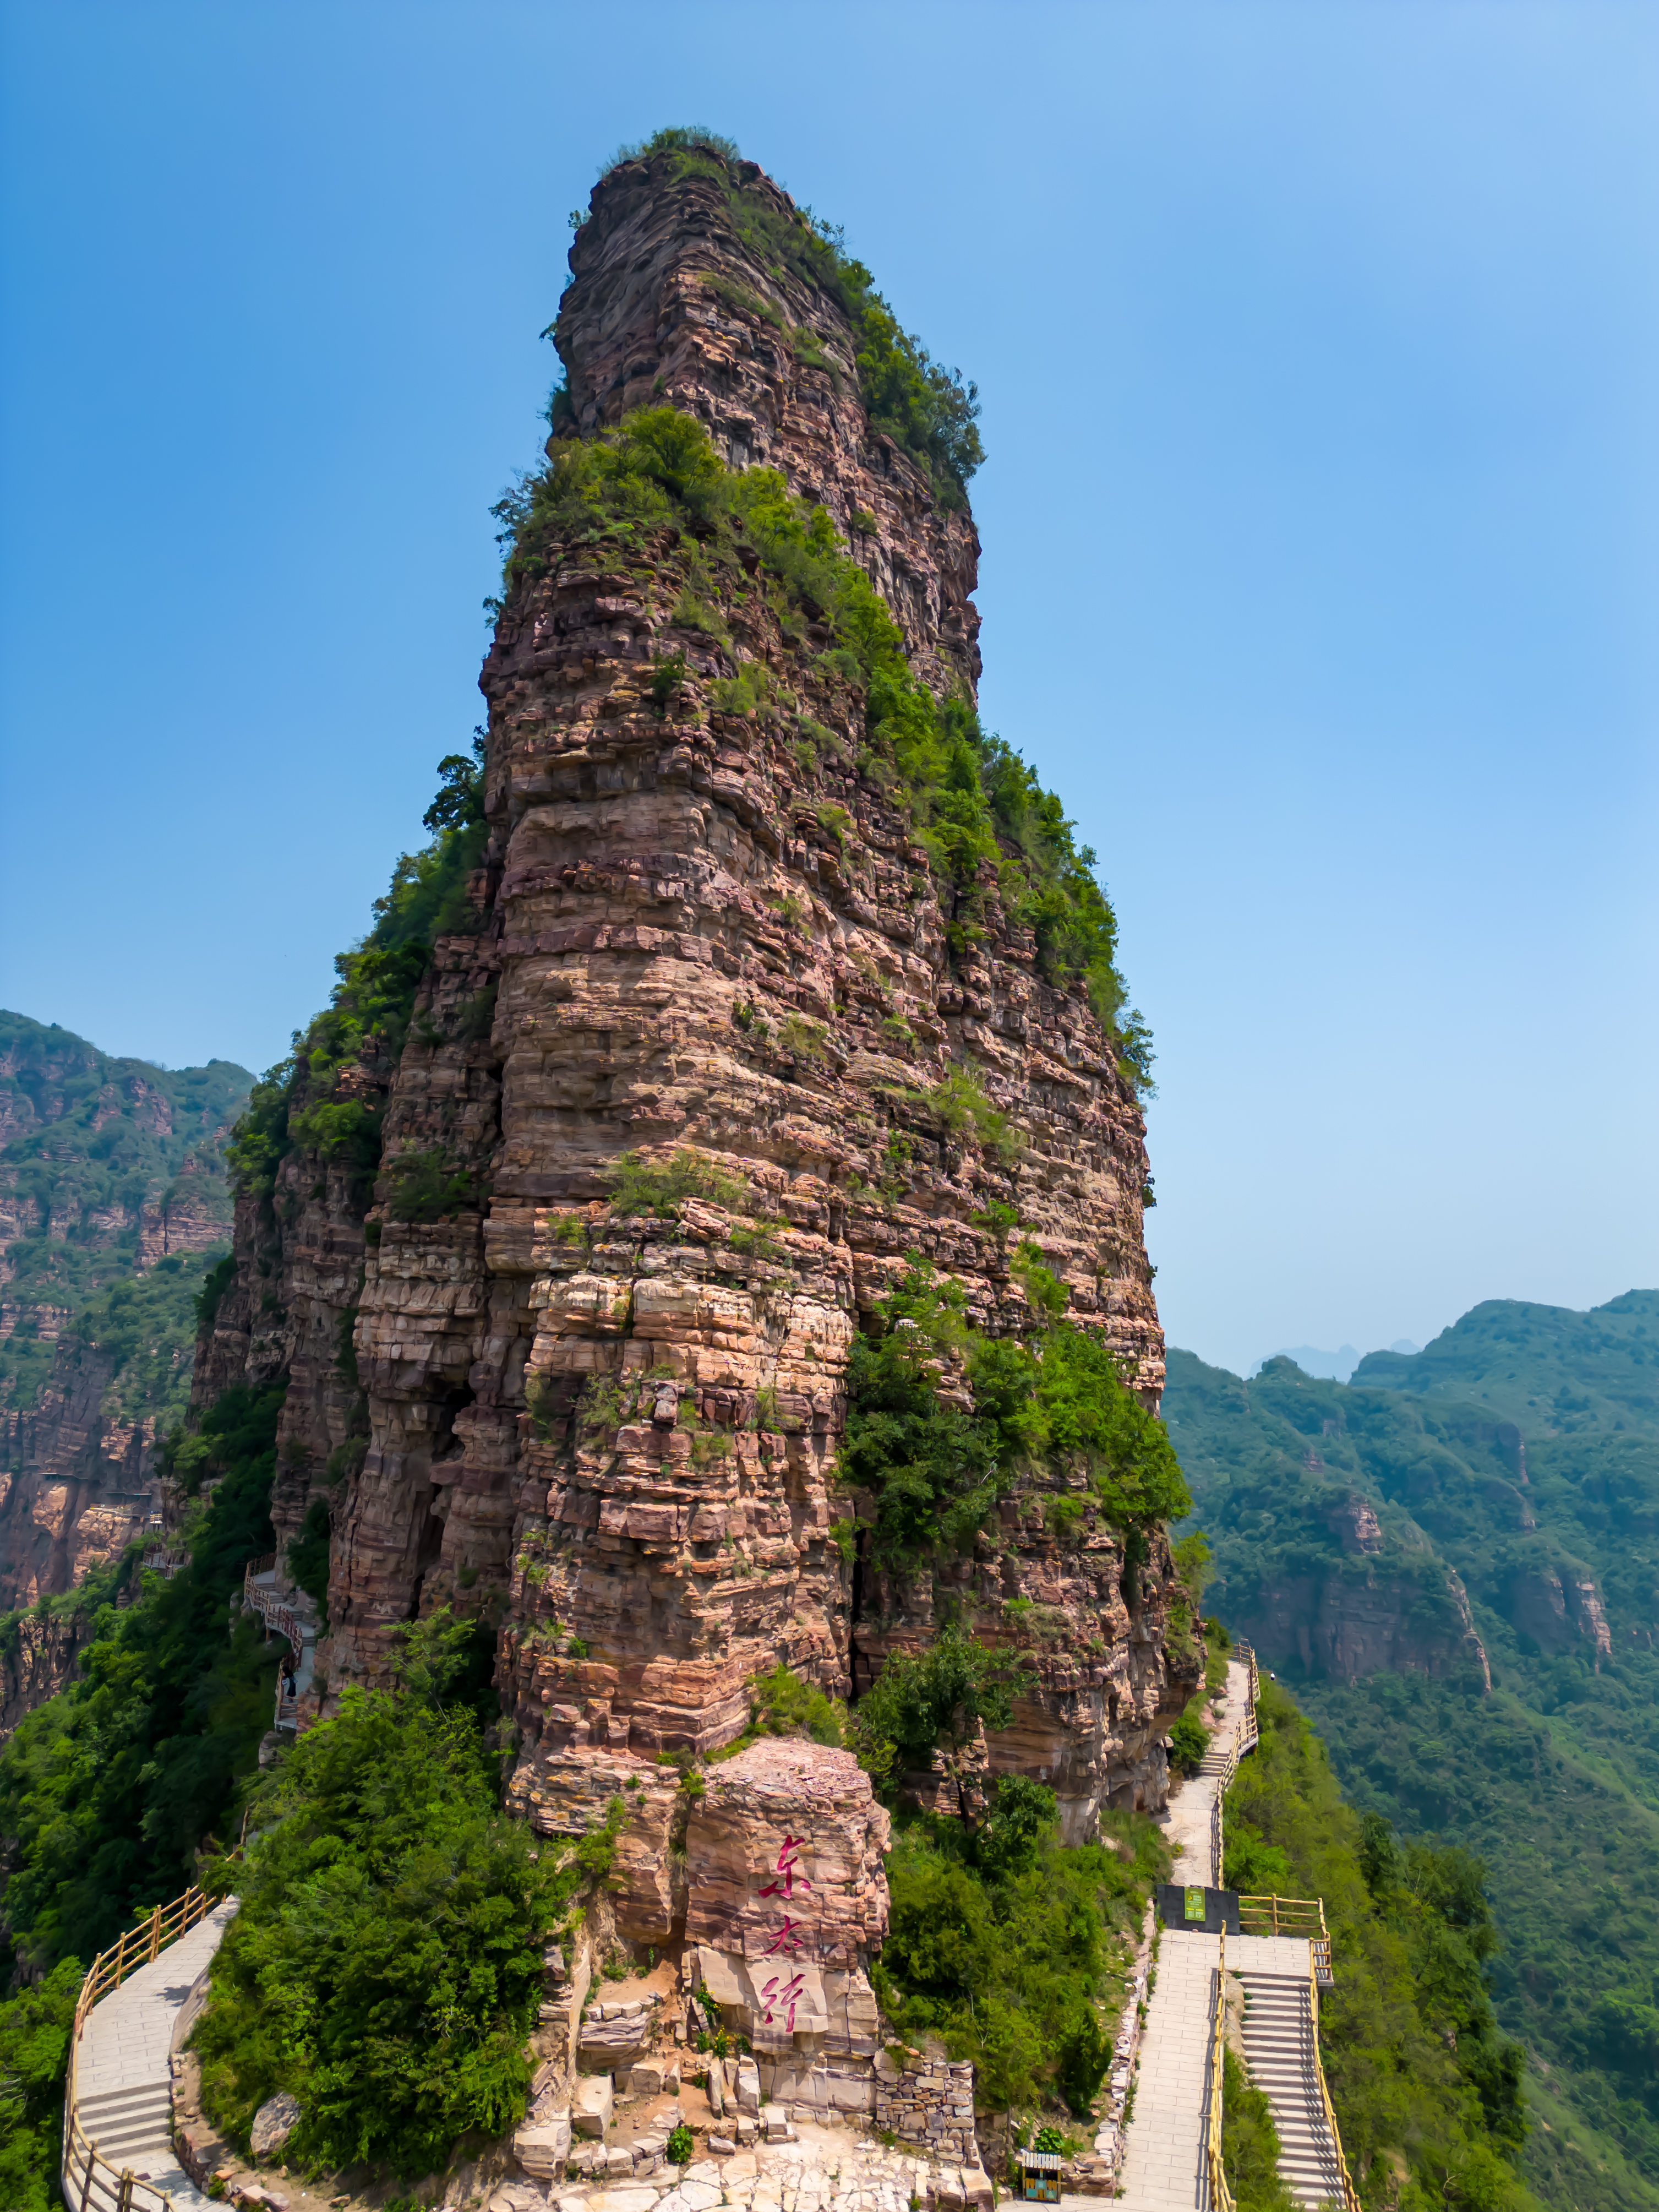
(118, 2109)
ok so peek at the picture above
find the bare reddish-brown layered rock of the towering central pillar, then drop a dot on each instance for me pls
(700, 935)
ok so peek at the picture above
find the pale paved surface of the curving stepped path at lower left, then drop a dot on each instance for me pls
(123, 2076)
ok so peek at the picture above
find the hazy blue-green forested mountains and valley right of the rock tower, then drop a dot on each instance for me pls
(1503, 1488)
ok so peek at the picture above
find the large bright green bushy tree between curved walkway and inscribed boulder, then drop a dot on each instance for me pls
(386, 1963)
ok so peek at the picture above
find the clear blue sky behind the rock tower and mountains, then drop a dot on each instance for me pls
(1322, 395)
